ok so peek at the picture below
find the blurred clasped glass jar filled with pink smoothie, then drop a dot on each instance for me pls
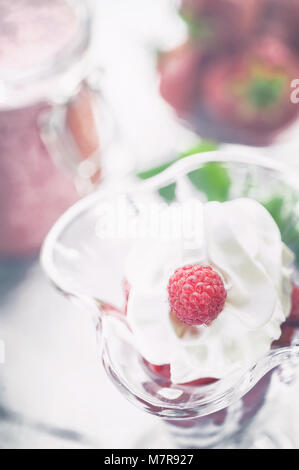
(49, 146)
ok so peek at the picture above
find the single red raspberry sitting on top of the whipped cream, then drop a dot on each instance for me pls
(196, 294)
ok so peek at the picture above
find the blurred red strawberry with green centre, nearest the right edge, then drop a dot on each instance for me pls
(246, 99)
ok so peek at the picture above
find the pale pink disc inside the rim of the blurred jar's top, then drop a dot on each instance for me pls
(34, 31)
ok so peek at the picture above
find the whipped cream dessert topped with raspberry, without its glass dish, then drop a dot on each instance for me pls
(211, 301)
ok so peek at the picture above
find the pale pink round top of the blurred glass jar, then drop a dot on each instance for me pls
(39, 41)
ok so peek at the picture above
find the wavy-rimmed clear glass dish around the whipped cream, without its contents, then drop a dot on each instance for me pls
(89, 268)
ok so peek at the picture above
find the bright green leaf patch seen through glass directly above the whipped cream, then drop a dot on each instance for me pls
(212, 179)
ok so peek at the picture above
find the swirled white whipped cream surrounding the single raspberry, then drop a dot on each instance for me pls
(241, 241)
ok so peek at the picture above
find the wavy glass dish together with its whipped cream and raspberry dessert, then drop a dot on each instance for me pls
(195, 300)
